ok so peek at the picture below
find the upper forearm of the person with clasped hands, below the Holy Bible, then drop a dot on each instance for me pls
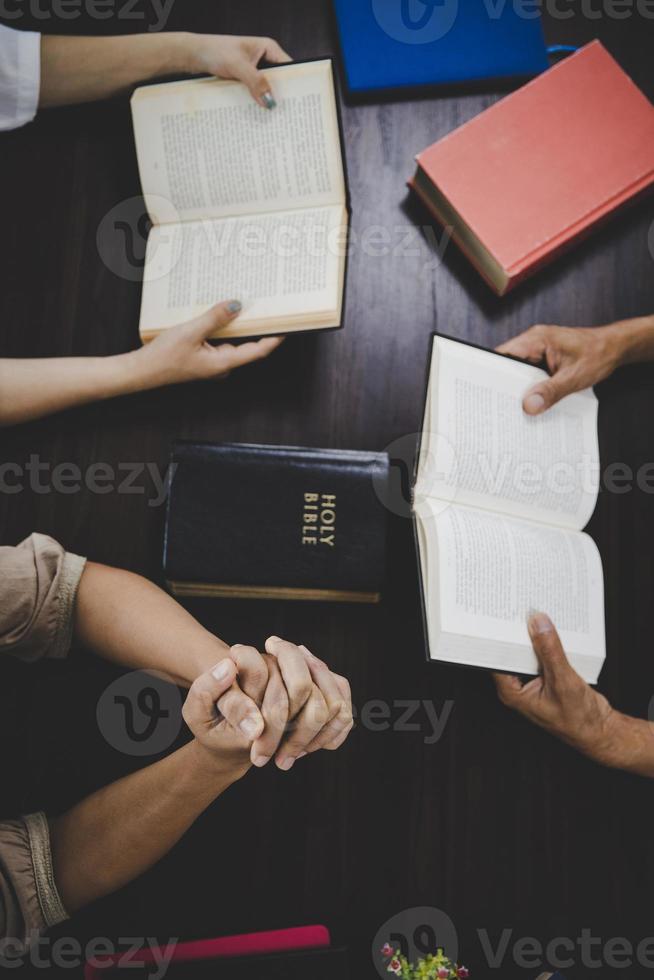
(128, 620)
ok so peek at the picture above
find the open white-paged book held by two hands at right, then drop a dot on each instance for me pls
(500, 501)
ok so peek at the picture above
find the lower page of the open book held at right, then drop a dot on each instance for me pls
(486, 572)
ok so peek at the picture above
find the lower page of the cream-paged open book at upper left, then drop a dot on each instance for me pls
(286, 265)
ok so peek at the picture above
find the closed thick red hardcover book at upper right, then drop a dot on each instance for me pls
(531, 175)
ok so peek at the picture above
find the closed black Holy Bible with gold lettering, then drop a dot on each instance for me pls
(275, 522)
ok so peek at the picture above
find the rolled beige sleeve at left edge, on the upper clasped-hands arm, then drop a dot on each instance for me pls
(38, 586)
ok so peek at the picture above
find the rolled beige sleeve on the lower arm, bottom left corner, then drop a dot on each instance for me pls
(29, 900)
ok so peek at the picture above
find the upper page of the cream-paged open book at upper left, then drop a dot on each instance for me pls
(206, 149)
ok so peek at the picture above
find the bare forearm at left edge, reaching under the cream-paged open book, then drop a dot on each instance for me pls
(32, 388)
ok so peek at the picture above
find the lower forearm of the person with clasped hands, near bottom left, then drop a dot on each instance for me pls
(119, 832)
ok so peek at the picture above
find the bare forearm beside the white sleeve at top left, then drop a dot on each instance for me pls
(81, 69)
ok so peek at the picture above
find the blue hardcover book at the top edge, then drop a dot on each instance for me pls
(399, 44)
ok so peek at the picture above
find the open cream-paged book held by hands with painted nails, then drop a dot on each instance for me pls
(246, 203)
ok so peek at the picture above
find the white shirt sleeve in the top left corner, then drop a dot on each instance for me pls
(20, 76)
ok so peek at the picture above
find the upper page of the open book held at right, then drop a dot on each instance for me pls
(480, 449)
